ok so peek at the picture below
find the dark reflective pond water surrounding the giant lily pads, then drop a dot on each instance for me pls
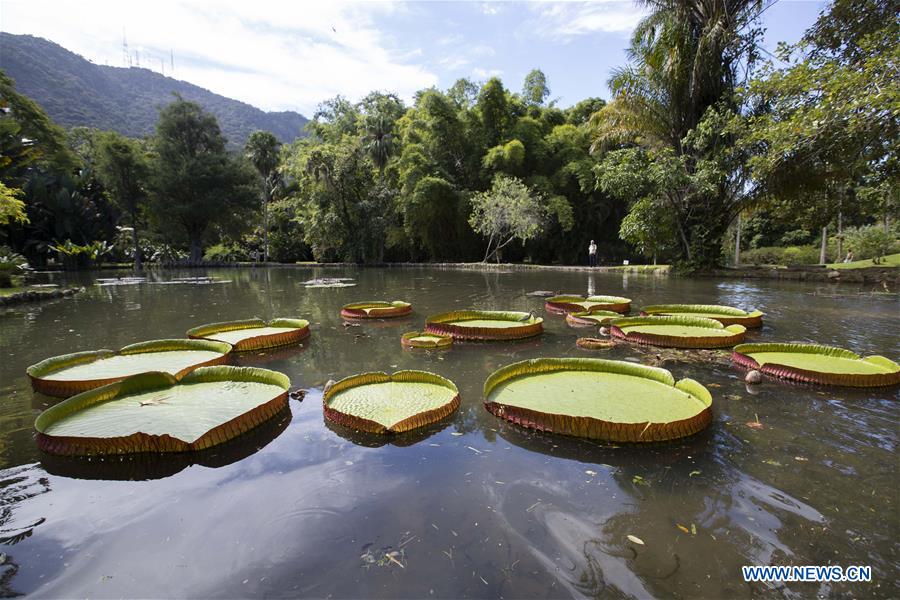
(474, 506)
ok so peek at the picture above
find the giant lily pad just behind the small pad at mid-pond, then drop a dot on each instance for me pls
(485, 325)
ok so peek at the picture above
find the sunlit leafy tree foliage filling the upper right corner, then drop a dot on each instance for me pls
(824, 127)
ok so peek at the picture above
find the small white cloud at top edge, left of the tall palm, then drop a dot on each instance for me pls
(564, 20)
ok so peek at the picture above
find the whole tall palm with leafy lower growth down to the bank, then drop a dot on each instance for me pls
(687, 57)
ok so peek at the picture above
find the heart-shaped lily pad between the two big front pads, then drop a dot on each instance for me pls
(382, 403)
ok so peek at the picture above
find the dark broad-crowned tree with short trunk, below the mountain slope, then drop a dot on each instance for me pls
(197, 184)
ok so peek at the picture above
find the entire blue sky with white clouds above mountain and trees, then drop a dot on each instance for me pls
(292, 55)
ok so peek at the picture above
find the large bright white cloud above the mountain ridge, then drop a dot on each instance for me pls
(274, 55)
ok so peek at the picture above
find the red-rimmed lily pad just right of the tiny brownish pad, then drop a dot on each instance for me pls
(677, 332)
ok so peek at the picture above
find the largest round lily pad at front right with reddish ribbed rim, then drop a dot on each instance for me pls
(601, 399)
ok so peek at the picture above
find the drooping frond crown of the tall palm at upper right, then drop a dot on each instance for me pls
(686, 55)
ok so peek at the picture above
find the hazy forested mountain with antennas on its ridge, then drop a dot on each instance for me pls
(74, 91)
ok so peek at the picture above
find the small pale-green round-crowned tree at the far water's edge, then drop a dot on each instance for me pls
(508, 211)
